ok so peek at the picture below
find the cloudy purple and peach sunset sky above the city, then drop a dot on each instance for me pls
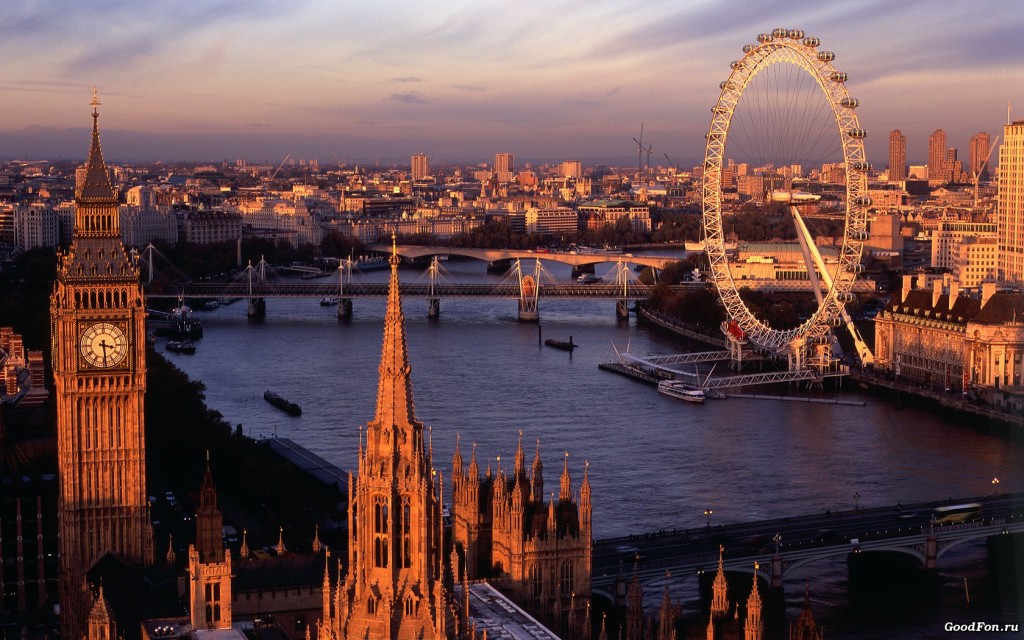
(460, 81)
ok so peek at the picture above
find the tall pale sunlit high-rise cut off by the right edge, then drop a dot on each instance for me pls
(1010, 218)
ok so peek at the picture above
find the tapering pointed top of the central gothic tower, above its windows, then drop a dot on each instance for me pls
(395, 393)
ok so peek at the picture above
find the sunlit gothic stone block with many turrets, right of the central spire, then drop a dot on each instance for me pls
(538, 550)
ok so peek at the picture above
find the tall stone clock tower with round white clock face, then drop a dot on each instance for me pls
(98, 327)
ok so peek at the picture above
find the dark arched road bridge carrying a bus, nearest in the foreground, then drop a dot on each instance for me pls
(784, 545)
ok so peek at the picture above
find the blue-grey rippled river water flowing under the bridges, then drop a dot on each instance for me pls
(655, 462)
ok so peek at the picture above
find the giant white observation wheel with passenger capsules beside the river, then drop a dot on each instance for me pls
(790, 112)
